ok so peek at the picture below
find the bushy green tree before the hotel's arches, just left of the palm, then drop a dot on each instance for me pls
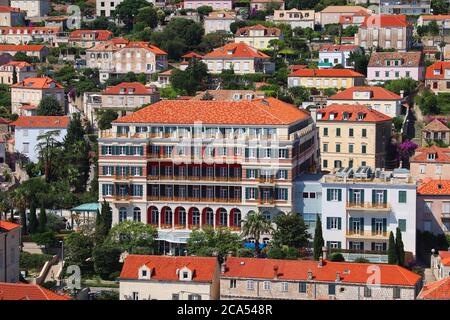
(209, 242)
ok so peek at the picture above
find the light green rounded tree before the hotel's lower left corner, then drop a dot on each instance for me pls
(132, 236)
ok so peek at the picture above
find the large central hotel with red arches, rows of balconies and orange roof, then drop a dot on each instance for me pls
(180, 165)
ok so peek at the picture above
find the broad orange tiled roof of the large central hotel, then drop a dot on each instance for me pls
(269, 111)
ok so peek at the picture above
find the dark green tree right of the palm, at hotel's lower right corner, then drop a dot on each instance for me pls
(291, 231)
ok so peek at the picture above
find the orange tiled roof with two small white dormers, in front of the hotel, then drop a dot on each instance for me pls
(165, 267)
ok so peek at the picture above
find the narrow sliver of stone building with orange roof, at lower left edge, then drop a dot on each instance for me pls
(9, 252)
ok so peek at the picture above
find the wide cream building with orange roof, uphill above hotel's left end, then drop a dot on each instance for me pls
(117, 58)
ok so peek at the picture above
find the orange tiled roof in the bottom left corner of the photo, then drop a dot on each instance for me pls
(22, 291)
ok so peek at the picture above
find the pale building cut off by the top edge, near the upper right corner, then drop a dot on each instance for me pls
(410, 8)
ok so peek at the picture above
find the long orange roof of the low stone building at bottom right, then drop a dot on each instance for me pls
(298, 270)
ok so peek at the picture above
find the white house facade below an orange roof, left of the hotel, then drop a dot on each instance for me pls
(27, 140)
